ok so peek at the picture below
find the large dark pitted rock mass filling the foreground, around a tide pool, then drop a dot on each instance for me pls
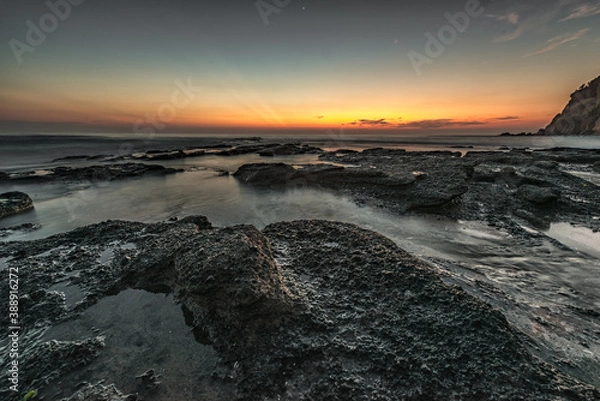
(302, 310)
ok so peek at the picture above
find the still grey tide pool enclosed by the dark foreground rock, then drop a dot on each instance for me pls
(142, 331)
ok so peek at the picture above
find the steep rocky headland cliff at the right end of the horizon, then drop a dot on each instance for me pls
(581, 116)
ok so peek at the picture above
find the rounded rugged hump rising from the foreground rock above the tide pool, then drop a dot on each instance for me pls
(229, 277)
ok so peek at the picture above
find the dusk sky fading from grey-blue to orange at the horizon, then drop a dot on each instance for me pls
(292, 66)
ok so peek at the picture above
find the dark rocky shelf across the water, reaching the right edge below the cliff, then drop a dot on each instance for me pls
(505, 189)
